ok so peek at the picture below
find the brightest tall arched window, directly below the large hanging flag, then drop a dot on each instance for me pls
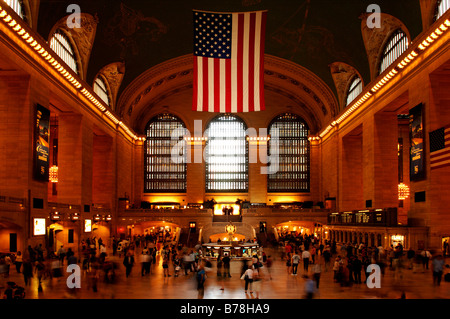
(226, 155)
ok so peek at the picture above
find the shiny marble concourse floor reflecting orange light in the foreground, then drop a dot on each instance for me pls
(417, 285)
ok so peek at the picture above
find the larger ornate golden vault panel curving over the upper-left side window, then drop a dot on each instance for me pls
(82, 39)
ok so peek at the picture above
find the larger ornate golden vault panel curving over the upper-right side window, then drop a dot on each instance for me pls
(375, 39)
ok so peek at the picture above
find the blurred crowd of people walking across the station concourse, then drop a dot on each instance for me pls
(304, 255)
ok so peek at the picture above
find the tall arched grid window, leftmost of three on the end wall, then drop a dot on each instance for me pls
(162, 173)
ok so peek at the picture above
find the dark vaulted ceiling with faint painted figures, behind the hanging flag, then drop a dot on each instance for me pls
(311, 33)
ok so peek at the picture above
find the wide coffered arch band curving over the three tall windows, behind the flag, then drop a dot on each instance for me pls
(301, 86)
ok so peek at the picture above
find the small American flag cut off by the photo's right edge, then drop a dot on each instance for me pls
(439, 148)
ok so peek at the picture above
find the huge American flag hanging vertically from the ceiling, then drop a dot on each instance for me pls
(229, 61)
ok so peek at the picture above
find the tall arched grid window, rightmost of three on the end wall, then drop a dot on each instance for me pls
(294, 168)
